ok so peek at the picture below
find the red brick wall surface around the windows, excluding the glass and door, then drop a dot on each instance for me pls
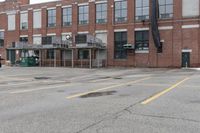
(175, 39)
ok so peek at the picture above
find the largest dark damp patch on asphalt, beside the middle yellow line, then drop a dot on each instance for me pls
(98, 94)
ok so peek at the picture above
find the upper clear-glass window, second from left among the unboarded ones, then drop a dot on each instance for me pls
(67, 16)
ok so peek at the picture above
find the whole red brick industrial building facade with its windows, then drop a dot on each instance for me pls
(124, 28)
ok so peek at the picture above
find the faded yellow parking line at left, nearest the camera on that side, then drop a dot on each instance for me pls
(41, 88)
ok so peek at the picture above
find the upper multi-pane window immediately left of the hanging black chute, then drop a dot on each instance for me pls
(142, 9)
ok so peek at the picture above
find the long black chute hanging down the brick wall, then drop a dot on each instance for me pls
(154, 24)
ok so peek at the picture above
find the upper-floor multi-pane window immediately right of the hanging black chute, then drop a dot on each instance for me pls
(165, 8)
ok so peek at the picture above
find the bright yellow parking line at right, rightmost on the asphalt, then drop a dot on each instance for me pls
(163, 92)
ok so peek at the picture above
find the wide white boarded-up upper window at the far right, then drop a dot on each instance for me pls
(190, 8)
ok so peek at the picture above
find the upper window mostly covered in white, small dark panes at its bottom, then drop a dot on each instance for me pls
(24, 21)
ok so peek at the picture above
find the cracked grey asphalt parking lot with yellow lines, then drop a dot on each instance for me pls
(119, 100)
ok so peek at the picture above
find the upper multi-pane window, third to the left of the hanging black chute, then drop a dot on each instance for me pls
(101, 13)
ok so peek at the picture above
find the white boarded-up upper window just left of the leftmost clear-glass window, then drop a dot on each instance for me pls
(37, 19)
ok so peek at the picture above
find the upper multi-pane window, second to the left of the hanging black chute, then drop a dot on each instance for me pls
(120, 11)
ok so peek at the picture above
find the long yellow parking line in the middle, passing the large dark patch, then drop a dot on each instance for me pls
(107, 88)
